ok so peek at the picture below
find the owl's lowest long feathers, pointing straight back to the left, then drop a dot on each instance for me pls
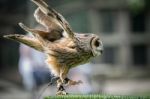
(29, 41)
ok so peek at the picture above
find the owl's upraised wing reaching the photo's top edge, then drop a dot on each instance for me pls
(52, 20)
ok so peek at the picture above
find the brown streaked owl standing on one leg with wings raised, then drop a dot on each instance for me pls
(64, 48)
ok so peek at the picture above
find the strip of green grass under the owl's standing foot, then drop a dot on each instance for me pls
(96, 97)
